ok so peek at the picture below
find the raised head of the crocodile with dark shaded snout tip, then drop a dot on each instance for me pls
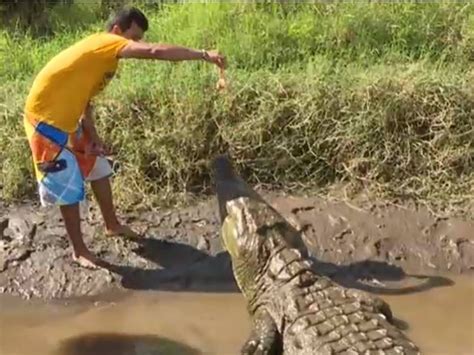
(252, 230)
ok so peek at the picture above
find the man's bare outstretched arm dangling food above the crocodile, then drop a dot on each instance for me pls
(169, 52)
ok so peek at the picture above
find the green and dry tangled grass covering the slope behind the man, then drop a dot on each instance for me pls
(379, 97)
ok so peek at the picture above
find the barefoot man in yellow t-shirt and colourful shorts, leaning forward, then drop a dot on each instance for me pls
(66, 149)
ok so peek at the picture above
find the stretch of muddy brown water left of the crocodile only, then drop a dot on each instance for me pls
(142, 323)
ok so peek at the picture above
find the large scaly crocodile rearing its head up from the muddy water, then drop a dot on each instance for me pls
(294, 309)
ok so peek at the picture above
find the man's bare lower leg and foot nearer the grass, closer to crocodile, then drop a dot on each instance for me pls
(103, 194)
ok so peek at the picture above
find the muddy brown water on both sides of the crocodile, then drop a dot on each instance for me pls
(440, 320)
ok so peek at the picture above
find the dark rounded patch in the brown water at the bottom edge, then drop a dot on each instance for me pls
(122, 344)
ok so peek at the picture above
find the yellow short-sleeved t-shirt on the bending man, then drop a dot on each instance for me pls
(61, 90)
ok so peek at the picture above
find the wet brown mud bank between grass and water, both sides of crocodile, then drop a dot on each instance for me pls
(382, 248)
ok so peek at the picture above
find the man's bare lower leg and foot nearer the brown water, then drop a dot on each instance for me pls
(72, 221)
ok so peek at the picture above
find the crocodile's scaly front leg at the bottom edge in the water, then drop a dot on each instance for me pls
(264, 338)
